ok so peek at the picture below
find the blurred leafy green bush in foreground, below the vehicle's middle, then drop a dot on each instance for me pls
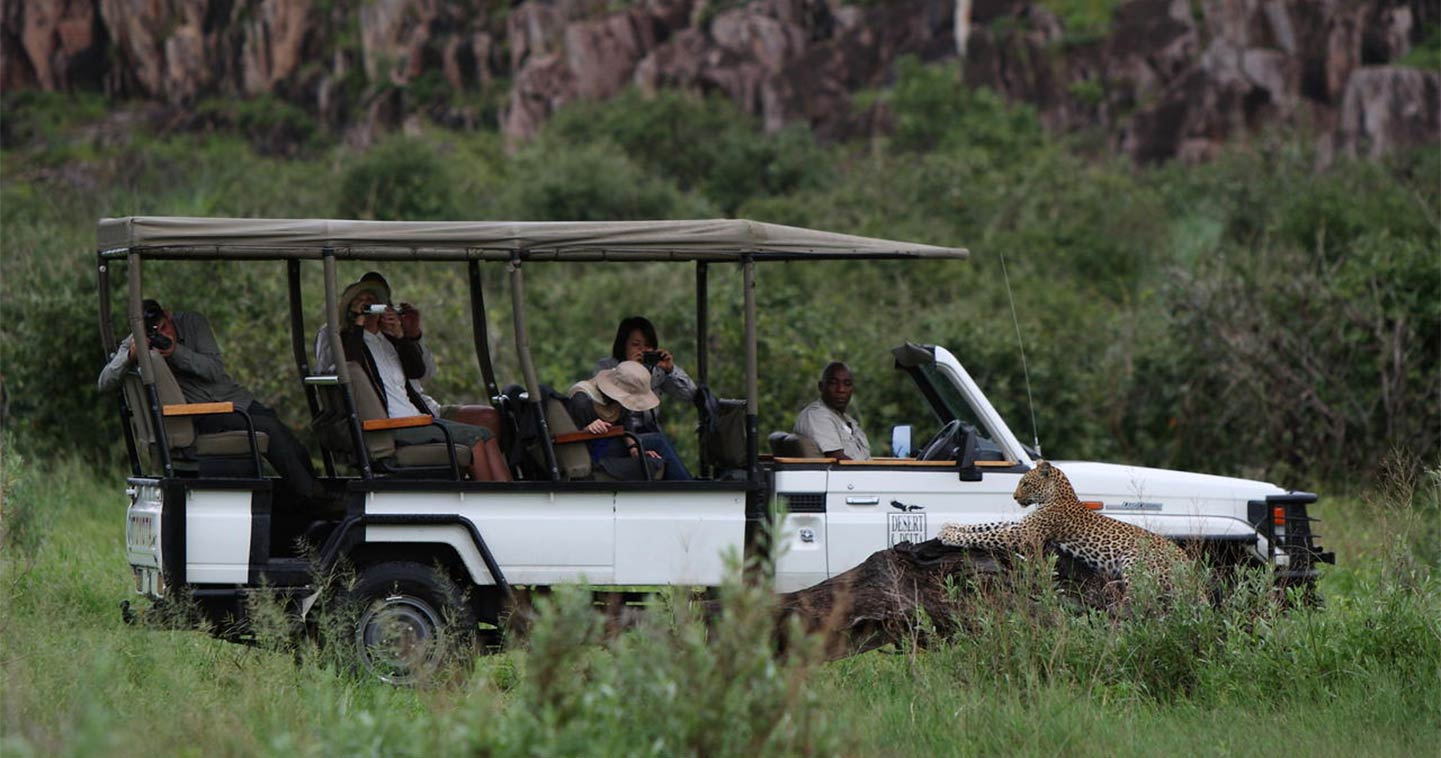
(674, 685)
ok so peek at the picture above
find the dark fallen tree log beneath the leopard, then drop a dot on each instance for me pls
(887, 597)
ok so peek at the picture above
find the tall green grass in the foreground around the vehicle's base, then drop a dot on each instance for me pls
(1360, 675)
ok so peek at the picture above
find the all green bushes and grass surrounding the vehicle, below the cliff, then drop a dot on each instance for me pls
(1252, 316)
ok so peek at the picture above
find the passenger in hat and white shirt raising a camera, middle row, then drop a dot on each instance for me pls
(391, 360)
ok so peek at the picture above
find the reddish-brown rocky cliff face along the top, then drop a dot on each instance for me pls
(1165, 79)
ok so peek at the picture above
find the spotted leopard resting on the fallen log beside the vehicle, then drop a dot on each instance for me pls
(1113, 550)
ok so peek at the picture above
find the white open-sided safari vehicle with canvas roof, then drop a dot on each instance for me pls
(432, 550)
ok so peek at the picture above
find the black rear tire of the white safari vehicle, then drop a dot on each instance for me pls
(409, 622)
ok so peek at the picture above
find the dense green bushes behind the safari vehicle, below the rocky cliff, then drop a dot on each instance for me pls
(1252, 316)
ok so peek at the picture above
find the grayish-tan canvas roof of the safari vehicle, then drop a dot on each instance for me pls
(711, 240)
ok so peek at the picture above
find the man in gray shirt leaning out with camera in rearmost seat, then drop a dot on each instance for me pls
(195, 361)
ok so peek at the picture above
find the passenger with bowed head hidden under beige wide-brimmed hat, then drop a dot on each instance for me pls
(619, 397)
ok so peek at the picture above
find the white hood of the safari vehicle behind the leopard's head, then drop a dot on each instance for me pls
(1112, 482)
